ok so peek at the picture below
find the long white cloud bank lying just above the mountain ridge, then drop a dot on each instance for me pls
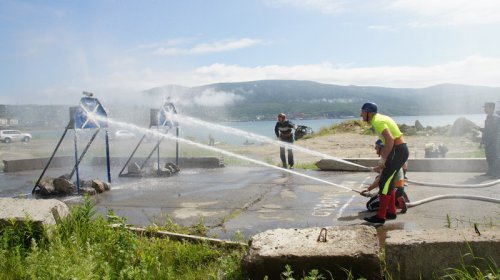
(474, 70)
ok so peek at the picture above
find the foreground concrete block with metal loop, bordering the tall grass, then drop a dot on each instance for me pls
(329, 249)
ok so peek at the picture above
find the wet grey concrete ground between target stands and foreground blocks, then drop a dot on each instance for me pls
(249, 200)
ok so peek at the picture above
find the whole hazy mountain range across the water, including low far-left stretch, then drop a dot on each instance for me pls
(263, 100)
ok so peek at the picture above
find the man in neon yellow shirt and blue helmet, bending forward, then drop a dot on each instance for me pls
(392, 157)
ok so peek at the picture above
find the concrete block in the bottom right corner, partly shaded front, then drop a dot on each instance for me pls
(425, 254)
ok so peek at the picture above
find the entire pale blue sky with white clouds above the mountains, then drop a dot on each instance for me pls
(51, 51)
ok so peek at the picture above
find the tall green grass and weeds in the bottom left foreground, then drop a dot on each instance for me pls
(83, 246)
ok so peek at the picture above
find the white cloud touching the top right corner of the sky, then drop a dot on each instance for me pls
(449, 12)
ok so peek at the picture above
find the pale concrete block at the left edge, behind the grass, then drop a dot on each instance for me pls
(42, 212)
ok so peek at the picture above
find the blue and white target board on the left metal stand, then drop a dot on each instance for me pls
(90, 114)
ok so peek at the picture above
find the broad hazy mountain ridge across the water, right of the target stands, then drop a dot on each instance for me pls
(263, 100)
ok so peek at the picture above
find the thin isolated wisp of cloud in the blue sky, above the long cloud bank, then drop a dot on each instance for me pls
(214, 47)
